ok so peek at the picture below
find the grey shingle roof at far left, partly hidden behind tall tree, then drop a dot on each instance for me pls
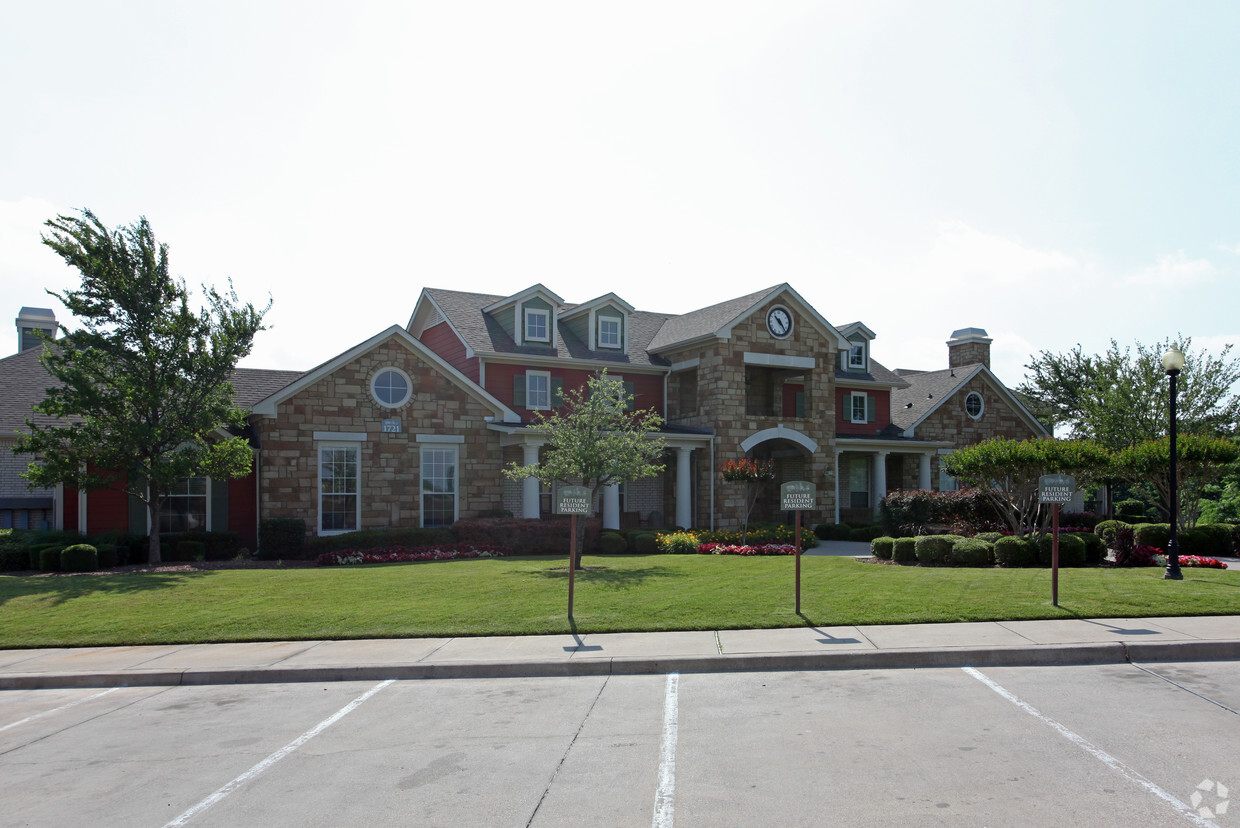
(24, 385)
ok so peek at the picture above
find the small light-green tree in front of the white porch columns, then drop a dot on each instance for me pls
(596, 441)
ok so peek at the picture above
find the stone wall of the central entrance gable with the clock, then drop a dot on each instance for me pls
(721, 406)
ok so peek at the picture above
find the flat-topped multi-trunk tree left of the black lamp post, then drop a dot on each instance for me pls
(1007, 474)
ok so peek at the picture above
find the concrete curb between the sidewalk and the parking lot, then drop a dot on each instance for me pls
(1038, 656)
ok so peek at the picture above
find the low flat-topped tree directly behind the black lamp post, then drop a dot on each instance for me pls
(1200, 463)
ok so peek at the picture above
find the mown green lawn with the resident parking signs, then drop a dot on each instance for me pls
(529, 596)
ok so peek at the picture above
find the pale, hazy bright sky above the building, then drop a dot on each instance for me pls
(1056, 173)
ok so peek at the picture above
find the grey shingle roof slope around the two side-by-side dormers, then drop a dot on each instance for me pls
(483, 335)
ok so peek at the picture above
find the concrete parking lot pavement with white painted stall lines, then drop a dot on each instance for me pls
(1109, 746)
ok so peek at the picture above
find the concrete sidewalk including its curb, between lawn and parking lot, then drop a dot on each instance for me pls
(1076, 641)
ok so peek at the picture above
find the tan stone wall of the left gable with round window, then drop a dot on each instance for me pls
(390, 463)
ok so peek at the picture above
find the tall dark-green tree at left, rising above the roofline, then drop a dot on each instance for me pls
(143, 387)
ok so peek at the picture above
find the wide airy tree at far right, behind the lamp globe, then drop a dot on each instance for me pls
(1122, 399)
